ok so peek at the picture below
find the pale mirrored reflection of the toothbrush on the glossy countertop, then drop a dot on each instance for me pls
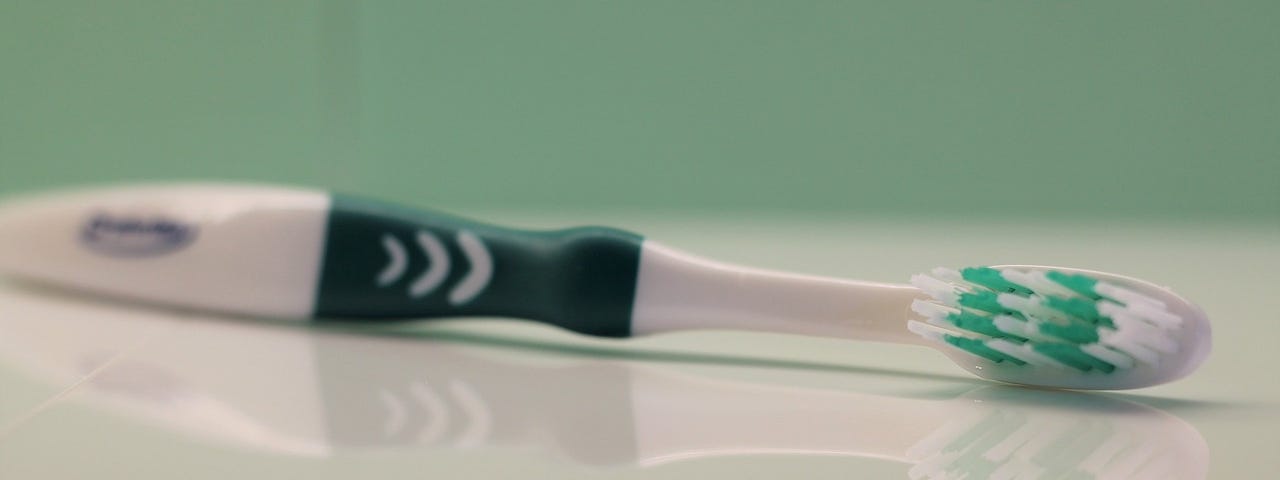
(341, 395)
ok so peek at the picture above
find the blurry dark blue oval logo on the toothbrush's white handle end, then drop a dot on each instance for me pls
(135, 237)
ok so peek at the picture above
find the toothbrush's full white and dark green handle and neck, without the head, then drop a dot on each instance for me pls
(303, 254)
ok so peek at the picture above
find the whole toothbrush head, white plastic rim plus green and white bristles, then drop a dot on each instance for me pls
(1064, 328)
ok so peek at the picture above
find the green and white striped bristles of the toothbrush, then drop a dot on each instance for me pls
(1045, 319)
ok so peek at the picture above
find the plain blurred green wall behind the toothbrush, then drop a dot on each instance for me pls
(1141, 109)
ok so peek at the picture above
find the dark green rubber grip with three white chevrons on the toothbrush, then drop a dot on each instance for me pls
(385, 262)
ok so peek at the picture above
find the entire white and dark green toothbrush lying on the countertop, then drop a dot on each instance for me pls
(299, 254)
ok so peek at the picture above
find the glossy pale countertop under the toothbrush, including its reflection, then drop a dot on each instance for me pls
(97, 390)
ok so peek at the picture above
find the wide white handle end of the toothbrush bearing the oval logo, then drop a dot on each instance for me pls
(228, 248)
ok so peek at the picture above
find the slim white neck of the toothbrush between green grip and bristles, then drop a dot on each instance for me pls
(676, 291)
